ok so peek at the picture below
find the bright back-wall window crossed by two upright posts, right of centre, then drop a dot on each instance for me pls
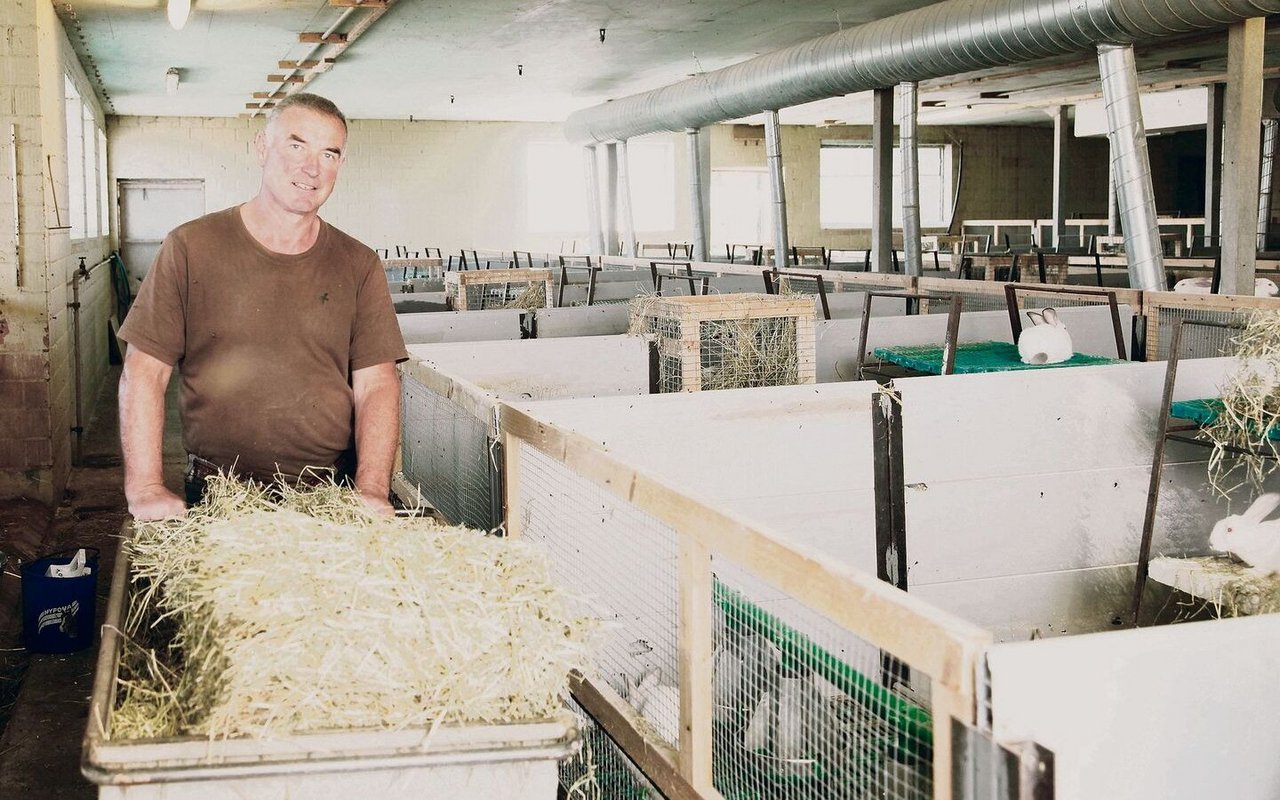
(845, 181)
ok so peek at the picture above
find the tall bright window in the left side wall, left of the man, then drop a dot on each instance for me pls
(86, 168)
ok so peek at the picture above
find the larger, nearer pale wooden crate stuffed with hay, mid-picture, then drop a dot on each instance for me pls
(730, 341)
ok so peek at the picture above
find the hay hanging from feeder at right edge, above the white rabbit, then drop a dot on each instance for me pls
(1245, 432)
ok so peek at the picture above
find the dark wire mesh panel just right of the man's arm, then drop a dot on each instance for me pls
(447, 454)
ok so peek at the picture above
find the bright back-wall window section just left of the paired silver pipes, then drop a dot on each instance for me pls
(556, 194)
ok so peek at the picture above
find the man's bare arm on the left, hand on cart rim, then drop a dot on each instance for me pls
(143, 387)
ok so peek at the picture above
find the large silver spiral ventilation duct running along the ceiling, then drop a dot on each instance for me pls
(945, 39)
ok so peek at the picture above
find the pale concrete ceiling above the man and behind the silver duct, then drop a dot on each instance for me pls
(533, 60)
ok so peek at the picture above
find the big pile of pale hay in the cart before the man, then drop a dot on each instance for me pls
(262, 615)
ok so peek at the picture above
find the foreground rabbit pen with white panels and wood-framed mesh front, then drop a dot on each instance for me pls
(737, 557)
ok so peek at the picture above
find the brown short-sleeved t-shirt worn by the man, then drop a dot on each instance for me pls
(266, 342)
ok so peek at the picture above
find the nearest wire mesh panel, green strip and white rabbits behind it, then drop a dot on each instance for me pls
(804, 708)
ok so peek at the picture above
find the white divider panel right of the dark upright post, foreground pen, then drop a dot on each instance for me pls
(1026, 492)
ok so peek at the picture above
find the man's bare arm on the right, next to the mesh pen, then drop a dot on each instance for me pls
(377, 396)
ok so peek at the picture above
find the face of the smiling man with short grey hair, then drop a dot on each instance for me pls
(301, 152)
